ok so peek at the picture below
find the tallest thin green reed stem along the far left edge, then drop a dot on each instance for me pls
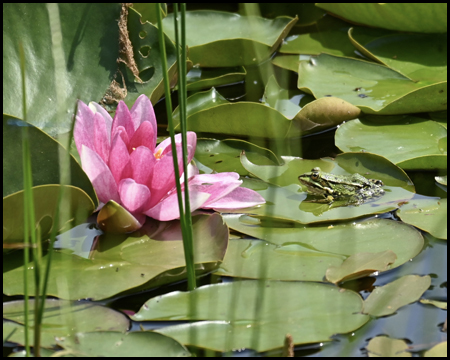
(26, 197)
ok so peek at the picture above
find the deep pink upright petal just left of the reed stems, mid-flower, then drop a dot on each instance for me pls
(163, 178)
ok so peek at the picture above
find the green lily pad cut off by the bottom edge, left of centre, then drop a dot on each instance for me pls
(130, 344)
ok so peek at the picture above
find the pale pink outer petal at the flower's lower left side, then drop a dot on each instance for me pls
(100, 175)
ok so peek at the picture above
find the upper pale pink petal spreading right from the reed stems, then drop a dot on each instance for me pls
(218, 185)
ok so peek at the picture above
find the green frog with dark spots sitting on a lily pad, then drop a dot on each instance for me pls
(355, 189)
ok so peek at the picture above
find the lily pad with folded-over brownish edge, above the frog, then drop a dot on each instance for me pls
(309, 115)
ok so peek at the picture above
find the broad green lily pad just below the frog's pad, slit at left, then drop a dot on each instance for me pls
(305, 253)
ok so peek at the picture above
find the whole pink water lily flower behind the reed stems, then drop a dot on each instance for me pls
(124, 164)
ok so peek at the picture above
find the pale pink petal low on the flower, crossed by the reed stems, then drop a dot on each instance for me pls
(168, 209)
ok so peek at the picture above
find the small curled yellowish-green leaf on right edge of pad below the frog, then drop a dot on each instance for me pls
(360, 265)
